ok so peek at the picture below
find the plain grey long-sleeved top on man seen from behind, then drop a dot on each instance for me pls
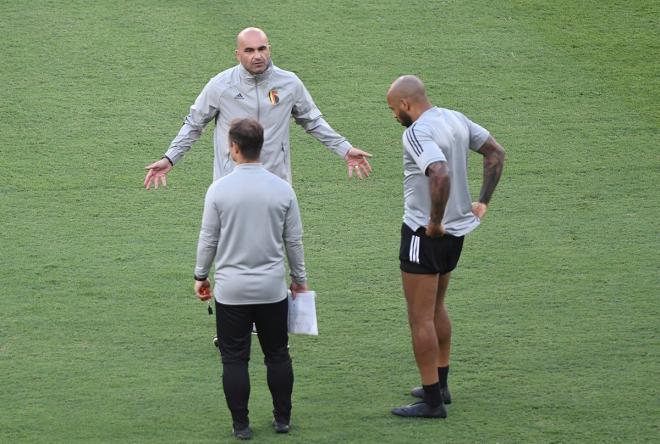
(251, 222)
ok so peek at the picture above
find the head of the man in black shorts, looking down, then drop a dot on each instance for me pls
(407, 99)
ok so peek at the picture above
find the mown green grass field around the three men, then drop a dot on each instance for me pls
(555, 303)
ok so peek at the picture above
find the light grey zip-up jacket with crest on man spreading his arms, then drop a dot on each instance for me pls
(272, 98)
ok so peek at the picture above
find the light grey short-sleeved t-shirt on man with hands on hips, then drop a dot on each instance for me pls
(440, 135)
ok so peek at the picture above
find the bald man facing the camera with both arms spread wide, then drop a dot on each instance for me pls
(257, 89)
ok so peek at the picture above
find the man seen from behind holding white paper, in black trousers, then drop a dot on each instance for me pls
(251, 221)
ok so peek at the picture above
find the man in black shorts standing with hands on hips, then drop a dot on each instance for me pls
(438, 213)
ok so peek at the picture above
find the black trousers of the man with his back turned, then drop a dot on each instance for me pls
(234, 328)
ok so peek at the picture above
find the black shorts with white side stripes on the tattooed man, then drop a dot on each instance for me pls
(420, 254)
